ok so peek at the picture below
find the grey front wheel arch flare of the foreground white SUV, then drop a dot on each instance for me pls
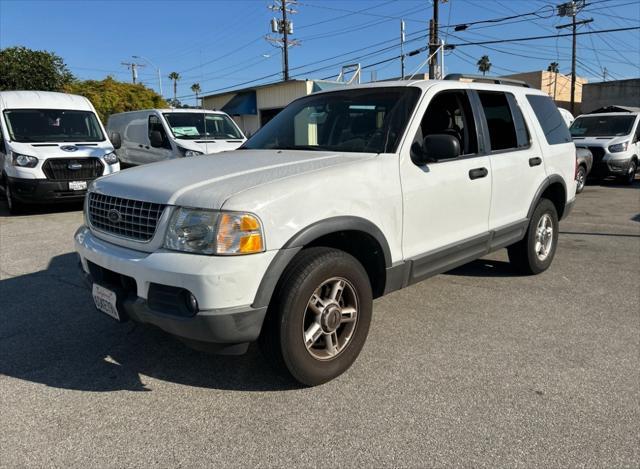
(354, 235)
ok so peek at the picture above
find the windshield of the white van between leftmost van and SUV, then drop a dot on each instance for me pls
(201, 126)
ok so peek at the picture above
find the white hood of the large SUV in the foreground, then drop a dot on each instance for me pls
(208, 181)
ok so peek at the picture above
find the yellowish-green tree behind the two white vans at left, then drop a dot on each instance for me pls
(110, 96)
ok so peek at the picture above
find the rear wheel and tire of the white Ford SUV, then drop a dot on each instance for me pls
(535, 252)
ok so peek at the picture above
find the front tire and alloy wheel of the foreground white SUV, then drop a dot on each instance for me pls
(320, 317)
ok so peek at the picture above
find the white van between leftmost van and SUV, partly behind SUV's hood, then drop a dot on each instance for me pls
(162, 134)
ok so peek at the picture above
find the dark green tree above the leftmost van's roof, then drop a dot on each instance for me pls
(26, 69)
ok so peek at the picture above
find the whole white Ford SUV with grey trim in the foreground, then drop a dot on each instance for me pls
(343, 197)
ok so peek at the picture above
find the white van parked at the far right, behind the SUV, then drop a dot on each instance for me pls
(614, 141)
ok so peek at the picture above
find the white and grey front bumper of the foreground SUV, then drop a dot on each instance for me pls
(224, 288)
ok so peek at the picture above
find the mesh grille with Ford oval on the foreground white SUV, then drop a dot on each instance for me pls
(128, 218)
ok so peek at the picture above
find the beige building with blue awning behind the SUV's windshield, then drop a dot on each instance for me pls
(253, 107)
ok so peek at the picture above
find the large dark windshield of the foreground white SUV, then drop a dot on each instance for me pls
(369, 120)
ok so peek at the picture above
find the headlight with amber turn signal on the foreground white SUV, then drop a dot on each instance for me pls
(212, 232)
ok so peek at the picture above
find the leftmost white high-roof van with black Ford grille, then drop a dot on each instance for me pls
(52, 145)
